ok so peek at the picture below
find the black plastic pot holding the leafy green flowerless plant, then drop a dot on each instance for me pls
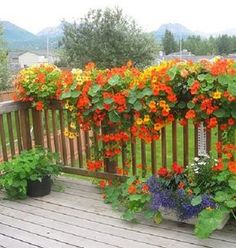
(37, 188)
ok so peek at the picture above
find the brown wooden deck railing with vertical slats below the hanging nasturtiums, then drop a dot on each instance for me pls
(22, 127)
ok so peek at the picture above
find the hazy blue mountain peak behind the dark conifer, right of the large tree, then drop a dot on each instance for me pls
(178, 30)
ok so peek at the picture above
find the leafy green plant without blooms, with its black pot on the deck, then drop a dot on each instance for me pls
(30, 173)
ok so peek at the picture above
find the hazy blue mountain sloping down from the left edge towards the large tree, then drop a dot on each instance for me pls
(21, 39)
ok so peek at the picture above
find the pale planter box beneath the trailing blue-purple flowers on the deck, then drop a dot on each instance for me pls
(169, 214)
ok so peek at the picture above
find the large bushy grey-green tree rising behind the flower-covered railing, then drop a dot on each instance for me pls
(109, 39)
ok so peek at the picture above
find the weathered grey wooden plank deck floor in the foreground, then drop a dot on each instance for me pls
(77, 217)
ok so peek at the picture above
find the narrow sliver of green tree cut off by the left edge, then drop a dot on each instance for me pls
(4, 70)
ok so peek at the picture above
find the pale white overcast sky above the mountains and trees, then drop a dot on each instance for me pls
(198, 15)
